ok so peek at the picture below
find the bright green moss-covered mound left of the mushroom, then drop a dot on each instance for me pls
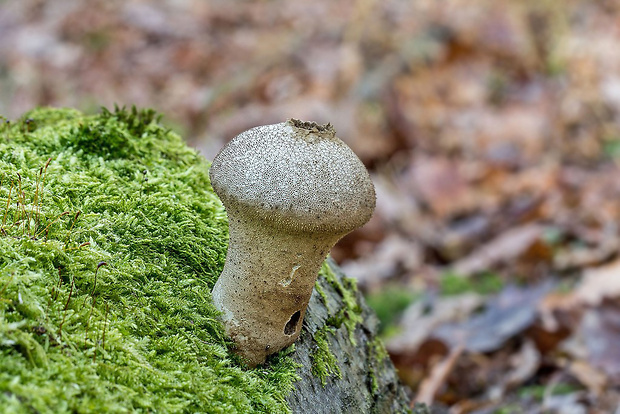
(111, 241)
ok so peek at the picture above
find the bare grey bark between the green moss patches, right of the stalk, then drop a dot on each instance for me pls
(353, 392)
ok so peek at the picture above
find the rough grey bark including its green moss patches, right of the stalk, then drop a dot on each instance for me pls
(368, 382)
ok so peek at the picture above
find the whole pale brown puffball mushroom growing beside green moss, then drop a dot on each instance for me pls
(291, 191)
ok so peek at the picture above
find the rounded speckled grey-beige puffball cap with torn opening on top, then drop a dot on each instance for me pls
(296, 176)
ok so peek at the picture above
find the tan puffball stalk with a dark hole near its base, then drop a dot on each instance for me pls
(266, 285)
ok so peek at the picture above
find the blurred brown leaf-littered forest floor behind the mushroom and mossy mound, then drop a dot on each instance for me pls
(491, 130)
